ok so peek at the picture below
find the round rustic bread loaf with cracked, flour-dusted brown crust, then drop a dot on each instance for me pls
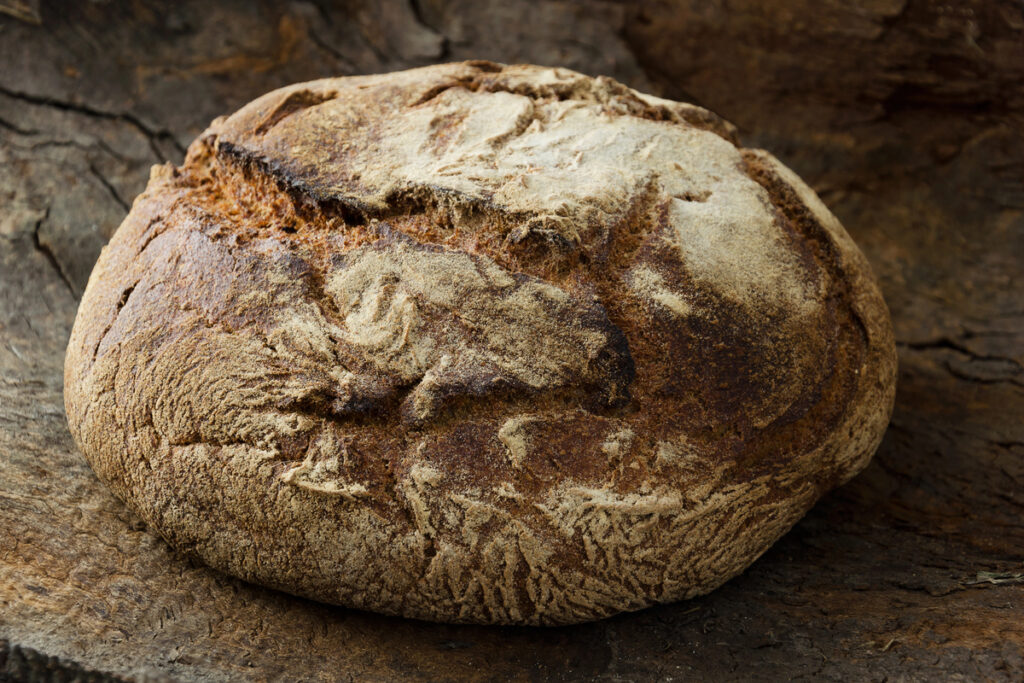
(479, 344)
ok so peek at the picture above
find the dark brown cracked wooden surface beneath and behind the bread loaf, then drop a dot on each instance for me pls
(907, 116)
